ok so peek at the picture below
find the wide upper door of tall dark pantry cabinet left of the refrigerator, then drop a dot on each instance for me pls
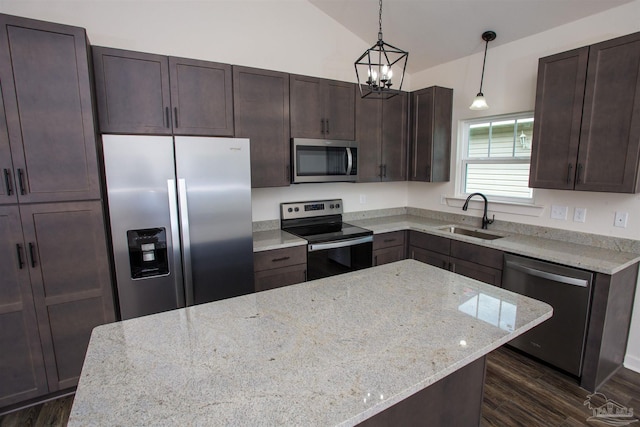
(44, 71)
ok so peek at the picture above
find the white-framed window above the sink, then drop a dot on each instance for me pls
(496, 155)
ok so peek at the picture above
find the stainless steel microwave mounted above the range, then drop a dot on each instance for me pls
(322, 160)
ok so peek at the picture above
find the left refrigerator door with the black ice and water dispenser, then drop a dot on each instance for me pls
(141, 190)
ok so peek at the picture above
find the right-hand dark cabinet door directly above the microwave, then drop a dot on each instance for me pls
(340, 119)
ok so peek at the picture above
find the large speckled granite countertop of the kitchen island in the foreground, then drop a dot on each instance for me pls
(308, 354)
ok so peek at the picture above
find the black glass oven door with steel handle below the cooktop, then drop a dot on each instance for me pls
(337, 257)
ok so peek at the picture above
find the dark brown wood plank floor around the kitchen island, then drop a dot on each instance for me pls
(518, 392)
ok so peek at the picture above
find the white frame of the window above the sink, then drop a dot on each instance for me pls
(463, 161)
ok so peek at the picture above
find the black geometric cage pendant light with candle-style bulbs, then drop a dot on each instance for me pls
(383, 65)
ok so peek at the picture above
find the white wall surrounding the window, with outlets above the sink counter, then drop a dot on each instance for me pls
(509, 86)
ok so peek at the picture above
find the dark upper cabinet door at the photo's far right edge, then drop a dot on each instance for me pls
(610, 135)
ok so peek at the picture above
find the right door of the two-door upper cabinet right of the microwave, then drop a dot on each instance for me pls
(394, 137)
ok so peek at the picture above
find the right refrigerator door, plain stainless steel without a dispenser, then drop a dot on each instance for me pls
(214, 190)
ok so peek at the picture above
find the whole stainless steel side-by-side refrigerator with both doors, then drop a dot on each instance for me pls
(180, 217)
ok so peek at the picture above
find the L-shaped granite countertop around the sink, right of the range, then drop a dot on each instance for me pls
(583, 256)
